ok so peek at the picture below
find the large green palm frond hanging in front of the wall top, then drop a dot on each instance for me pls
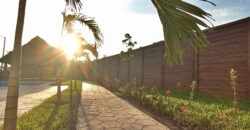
(181, 20)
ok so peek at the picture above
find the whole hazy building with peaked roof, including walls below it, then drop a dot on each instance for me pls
(39, 61)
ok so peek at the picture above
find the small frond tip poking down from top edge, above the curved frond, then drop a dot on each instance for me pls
(74, 5)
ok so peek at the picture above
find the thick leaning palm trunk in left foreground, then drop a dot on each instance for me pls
(10, 118)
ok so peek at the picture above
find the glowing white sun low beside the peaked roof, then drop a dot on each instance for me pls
(69, 45)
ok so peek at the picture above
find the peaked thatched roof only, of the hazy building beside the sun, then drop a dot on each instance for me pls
(38, 52)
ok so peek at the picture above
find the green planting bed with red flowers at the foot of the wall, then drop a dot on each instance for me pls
(203, 112)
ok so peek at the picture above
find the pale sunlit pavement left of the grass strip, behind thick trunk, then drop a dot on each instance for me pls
(30, 96)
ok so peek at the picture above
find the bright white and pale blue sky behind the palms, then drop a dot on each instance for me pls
(115, 18)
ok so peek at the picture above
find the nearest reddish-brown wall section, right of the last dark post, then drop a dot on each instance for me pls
(227, 49)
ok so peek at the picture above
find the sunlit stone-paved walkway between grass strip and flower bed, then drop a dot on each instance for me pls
(101, 110)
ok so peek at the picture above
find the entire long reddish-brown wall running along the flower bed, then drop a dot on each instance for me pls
(229, 48)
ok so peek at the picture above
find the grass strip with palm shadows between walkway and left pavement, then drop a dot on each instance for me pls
(50, 116)
